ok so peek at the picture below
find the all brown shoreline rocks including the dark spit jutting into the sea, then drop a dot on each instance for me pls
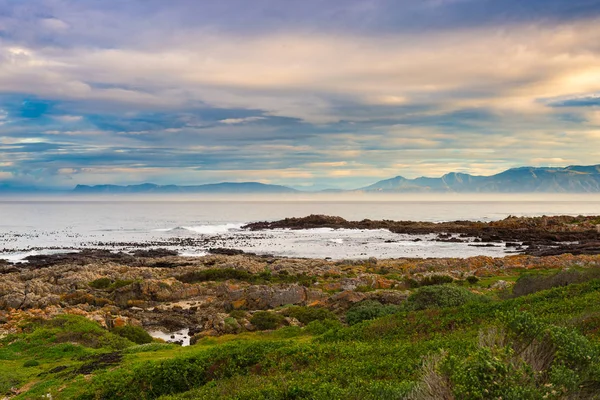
(221, 292)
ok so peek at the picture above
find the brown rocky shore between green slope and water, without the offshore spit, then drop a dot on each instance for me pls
(219, 294)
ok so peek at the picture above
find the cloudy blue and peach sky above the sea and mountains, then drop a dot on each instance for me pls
(310, 94)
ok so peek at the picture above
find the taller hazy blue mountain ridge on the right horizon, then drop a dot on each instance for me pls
(572, 179)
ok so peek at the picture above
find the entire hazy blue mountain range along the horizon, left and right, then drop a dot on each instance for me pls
(572, 179)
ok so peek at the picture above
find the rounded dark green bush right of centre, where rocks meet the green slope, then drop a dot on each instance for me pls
(439, 296)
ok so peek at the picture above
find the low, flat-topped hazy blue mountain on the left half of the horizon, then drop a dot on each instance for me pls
(225, 187)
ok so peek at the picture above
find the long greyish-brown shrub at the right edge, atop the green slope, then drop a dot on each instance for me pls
(531, 283)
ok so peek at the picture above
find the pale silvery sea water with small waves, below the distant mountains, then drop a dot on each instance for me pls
(30, 226)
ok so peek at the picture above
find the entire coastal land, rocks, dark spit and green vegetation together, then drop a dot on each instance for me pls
(92, 323)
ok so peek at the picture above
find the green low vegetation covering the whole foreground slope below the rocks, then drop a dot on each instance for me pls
(444, 342)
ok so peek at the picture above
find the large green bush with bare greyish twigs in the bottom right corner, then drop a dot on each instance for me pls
(527, 359)
